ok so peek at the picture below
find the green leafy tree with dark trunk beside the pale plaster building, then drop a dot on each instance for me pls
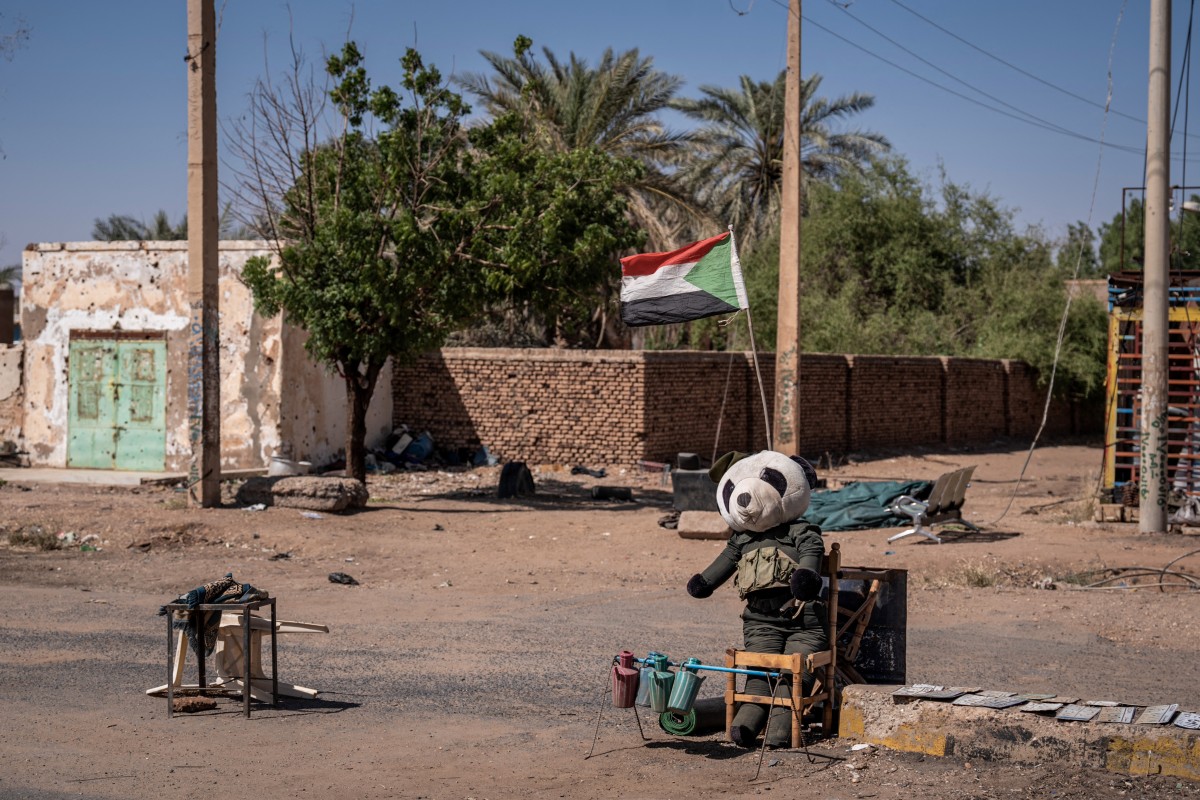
(400, 227)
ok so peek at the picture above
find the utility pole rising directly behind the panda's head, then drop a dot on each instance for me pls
(788, 333)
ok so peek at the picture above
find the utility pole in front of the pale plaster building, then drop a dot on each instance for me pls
(203, 336)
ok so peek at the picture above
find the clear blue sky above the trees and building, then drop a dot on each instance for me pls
(93, 109)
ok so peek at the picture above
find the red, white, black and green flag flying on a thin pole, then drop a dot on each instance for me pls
(699, 280)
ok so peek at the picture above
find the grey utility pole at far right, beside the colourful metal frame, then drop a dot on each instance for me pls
(1155, 335)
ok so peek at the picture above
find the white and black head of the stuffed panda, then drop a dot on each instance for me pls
(763, 491)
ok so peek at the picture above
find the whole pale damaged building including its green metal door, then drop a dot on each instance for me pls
(104, 365)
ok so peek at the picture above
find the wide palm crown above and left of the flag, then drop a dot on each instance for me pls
(613, 107)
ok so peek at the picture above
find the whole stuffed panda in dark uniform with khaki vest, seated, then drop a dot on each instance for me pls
(775, 557)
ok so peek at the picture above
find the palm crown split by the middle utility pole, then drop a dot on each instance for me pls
(739, 167)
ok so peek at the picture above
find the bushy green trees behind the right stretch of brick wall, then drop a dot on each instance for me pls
(891, 268)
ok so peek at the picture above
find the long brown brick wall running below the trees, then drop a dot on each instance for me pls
(611, 407)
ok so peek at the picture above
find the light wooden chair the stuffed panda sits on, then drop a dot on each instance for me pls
(823, 666)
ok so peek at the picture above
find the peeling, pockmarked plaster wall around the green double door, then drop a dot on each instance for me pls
(143, 287)
